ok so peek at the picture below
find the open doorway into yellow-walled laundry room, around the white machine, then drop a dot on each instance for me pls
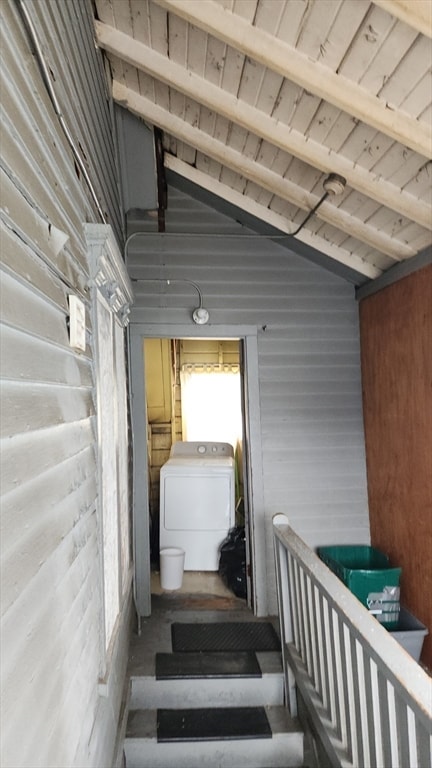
(193, 394)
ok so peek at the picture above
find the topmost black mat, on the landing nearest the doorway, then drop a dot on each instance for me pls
(224, 636)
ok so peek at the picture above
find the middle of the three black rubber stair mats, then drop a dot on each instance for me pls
(173, 666)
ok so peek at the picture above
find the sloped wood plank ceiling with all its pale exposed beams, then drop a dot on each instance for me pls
(260, 100)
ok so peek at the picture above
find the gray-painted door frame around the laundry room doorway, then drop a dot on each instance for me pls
(253, 489)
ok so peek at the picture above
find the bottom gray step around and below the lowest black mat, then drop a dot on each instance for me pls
(283, 750)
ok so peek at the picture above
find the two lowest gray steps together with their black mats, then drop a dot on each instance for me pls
(215, 709)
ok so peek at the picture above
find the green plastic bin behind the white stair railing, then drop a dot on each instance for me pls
(367, 573)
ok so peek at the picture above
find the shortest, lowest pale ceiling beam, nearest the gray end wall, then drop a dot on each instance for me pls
(263, 213)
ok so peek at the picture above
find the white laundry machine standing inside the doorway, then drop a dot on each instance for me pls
(197, 507)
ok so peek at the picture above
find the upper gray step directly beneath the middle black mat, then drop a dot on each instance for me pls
(149, 693)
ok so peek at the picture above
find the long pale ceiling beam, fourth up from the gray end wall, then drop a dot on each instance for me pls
(314, 77)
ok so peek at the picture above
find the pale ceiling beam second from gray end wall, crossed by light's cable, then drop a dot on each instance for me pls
(257, 173)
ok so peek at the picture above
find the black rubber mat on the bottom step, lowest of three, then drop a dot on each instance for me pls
(212, 724)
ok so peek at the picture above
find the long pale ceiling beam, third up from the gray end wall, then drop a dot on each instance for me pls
(256, 121)
